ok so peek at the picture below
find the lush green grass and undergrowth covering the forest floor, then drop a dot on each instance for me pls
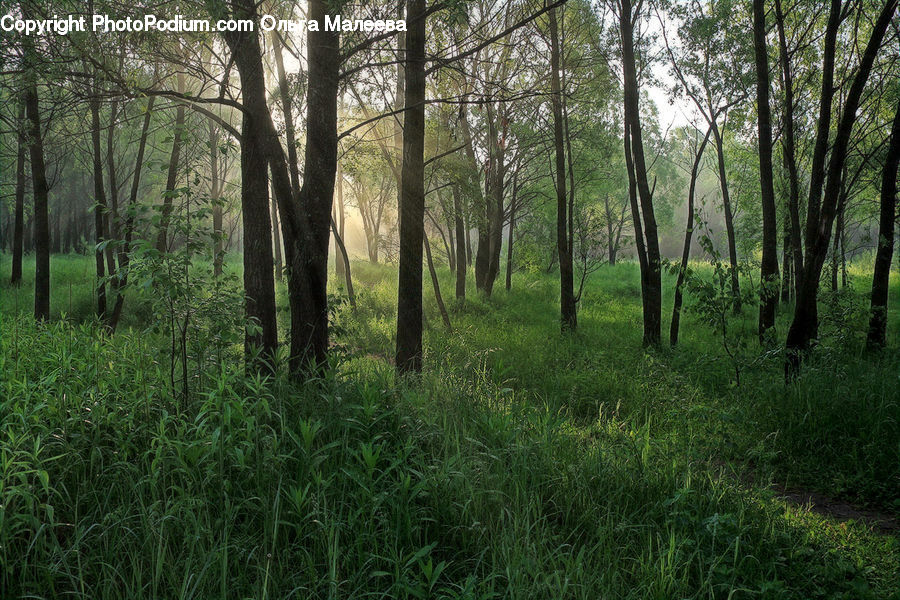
(522, 464)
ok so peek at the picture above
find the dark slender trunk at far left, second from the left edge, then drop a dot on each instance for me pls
(40, 192)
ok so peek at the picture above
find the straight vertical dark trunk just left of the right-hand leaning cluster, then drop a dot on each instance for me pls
(769, 269)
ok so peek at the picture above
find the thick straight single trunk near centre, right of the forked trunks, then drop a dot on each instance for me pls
(412, 196)
